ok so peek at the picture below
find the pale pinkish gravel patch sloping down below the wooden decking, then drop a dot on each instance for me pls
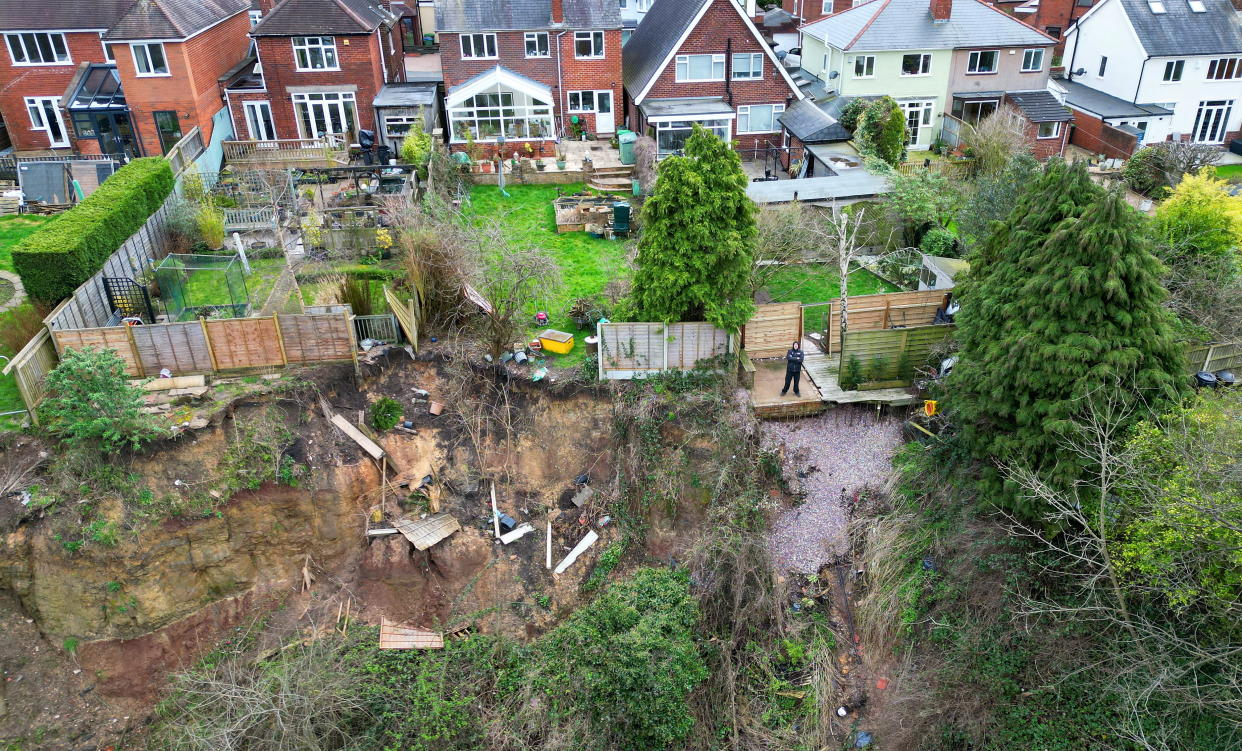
(839, 451)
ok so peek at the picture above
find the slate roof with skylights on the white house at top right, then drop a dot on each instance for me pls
(1182, 32)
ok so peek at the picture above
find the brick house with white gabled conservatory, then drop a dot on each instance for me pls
(532, 73)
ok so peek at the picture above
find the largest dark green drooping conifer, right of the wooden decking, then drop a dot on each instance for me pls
(1065, 312)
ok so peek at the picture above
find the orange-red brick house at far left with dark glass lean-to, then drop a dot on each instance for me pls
(115, 76)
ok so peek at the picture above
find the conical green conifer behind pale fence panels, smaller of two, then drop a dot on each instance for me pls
(696, 251)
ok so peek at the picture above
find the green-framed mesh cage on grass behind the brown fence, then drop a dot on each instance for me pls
(203, 286)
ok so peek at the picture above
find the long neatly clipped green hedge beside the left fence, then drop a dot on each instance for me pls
(64, 254)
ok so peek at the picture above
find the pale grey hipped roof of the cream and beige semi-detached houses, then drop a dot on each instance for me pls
(882, 25)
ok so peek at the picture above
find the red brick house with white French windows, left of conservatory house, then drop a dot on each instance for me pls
(319, 69)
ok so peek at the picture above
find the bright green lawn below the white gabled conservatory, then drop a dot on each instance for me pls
(587, 264)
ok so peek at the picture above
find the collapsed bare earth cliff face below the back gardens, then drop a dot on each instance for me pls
(166, 593)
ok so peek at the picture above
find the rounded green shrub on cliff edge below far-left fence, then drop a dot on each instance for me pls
(90, 400)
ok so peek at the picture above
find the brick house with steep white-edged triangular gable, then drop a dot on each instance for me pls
(704, 61)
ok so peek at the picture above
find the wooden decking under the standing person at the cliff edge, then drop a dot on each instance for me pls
(819, 389)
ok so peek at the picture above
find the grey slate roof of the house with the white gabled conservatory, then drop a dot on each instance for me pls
(500, 16)
